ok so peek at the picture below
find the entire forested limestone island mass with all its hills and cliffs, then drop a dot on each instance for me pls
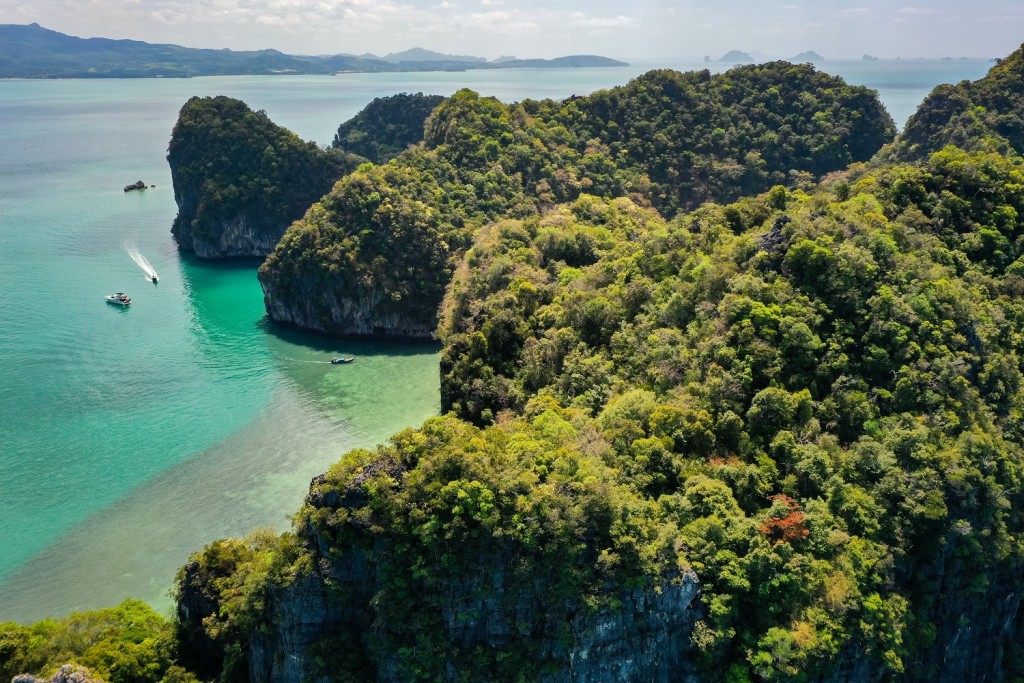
(732, 387)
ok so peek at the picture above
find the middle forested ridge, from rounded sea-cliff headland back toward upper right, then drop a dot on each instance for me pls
(386, 239)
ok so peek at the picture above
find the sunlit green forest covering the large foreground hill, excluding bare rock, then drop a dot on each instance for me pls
(812, 400)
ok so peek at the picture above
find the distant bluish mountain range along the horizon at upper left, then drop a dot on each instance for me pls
(33, 52)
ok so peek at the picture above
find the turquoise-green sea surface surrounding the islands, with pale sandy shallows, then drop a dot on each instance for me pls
(131, 438)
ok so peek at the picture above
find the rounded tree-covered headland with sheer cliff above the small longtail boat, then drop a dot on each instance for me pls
(386, 270)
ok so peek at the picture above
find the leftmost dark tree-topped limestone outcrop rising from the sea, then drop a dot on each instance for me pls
(240, 181)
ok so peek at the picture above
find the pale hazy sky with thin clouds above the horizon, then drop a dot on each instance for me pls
(644, 30)
